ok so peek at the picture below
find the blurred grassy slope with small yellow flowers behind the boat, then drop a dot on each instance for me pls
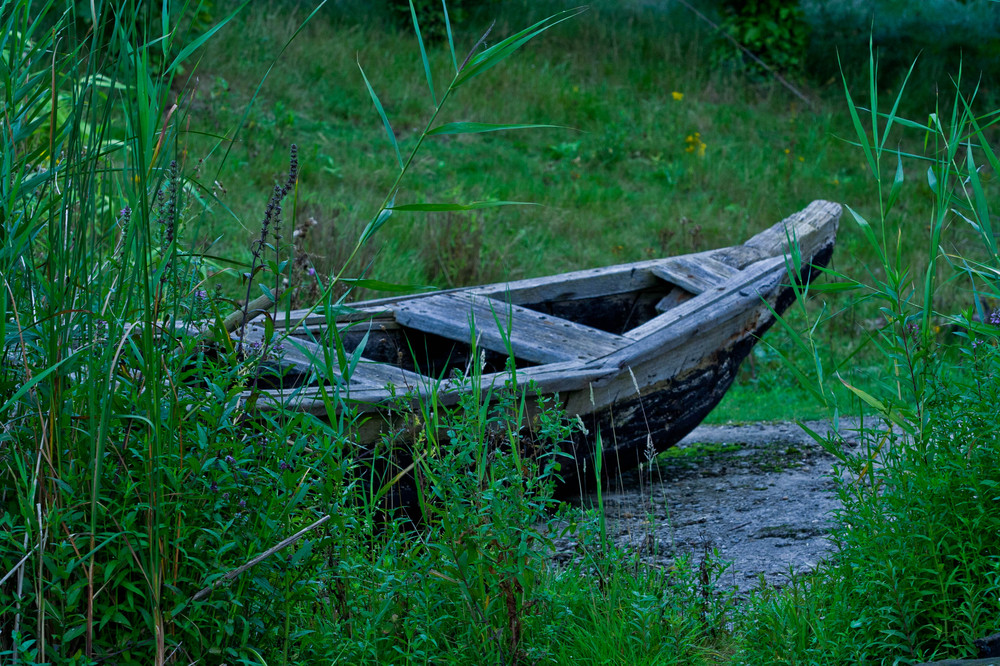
(666, 147)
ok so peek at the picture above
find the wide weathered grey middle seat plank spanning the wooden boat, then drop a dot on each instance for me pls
(534, 337)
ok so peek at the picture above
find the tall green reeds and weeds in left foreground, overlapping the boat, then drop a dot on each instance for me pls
(150, 513)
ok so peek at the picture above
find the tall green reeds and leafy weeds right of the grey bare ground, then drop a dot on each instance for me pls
(915, 575)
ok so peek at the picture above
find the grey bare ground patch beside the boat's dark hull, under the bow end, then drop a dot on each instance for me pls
(760, 495)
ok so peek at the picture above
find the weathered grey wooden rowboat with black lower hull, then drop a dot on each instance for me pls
(640, 352)
